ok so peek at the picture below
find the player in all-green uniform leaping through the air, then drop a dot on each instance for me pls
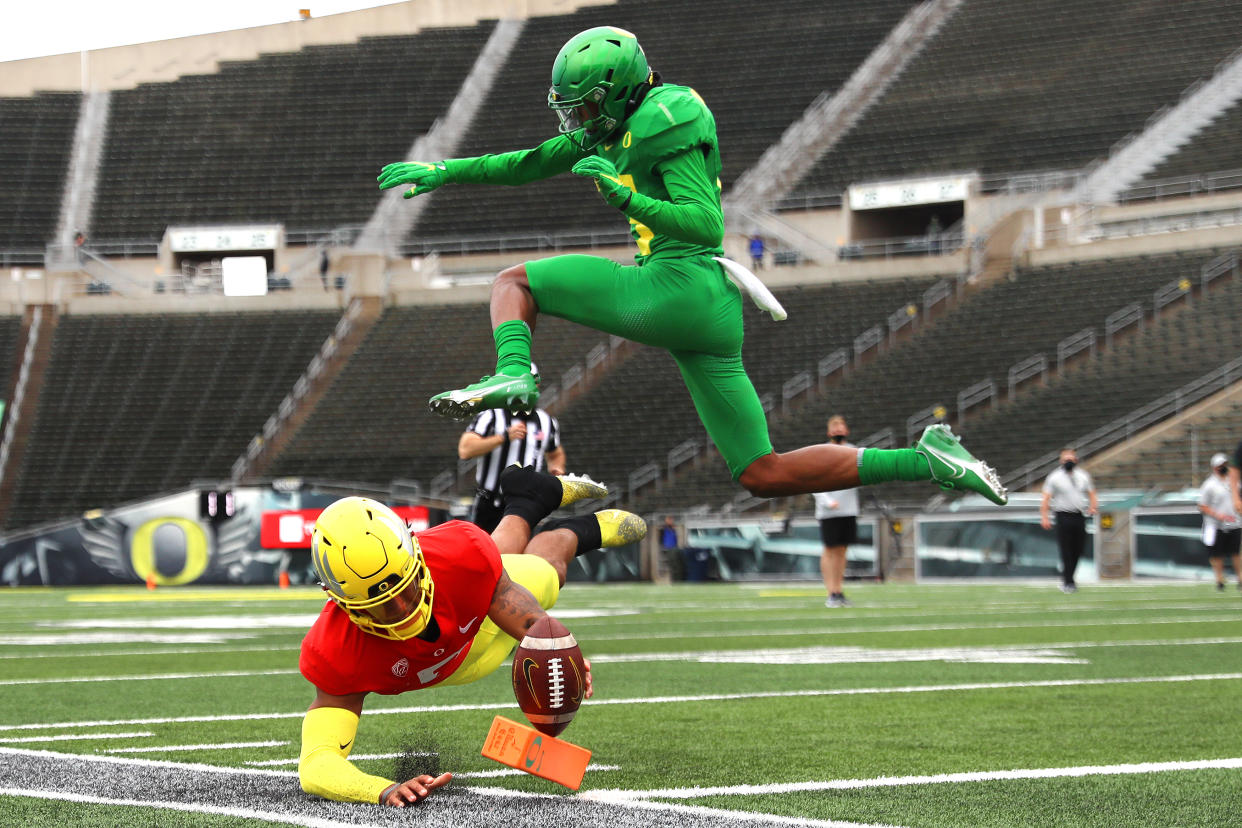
(651, 148)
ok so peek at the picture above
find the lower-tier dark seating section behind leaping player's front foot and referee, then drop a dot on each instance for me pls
(373, 425)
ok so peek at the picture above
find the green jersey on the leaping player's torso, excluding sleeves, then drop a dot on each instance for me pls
(671, 121)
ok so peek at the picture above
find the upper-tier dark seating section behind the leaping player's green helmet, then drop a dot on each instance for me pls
(757, 73)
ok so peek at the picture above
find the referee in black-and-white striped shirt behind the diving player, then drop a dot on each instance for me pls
(500, 440)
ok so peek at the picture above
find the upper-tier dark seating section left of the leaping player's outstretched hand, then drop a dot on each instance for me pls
(294, 138)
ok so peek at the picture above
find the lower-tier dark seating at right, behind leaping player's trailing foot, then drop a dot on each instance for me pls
(978, 340)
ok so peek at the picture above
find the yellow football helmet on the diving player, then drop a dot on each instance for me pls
(372, 567)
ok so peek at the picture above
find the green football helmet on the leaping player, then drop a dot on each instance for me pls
(594, 79)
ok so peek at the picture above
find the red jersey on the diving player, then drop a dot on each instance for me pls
(465, 565)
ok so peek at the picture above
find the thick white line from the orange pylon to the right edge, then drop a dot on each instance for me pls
(618, 795)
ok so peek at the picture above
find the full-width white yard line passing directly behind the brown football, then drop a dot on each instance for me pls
(669, 700)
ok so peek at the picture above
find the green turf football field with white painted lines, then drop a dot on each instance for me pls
(922, 706)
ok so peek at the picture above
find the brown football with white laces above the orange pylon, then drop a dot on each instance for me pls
(550, 677)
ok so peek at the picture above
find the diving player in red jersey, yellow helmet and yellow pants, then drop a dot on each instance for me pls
(443, 606)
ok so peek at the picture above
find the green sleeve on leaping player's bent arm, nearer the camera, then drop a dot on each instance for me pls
(694, 215)
